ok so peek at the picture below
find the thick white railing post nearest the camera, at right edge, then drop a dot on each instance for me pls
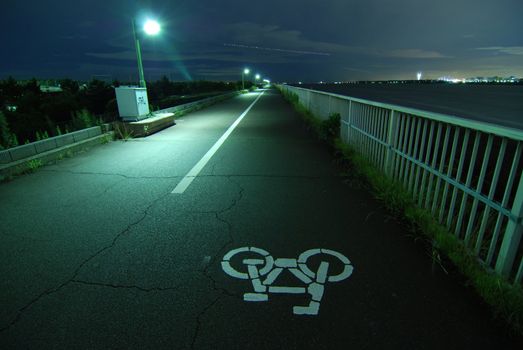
(512, 237)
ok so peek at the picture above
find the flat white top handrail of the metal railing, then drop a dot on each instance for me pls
(485, 127)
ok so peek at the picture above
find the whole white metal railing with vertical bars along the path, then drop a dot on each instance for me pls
(468, 174)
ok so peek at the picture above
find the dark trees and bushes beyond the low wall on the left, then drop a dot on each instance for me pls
(28, 114)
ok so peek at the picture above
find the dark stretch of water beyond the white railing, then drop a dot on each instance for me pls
(496, 104)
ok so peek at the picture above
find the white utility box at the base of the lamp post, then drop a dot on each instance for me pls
(132, 102)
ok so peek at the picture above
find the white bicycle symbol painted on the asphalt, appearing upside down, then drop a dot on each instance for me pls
(257, 269)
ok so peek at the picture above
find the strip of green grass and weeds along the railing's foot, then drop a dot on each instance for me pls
(504, 298)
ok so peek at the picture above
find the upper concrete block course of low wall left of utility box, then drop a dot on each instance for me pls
(34, 148)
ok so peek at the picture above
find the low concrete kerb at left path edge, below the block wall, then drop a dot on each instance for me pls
(34, 161)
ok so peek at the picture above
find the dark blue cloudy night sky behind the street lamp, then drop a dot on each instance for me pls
(284, 40)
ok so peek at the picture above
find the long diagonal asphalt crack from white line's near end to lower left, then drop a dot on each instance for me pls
(50, 291)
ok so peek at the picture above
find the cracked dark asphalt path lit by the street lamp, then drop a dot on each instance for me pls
(96, 252)
